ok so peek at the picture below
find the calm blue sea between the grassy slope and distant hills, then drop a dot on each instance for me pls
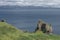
(26, 18)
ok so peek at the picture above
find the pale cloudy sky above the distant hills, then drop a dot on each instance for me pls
(52, 3)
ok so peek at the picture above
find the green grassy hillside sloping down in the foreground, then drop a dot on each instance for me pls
(9, 32)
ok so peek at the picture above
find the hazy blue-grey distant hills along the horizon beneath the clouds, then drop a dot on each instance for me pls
(26, 7)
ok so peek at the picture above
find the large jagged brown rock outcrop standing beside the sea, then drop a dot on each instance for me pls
(44, 27)
